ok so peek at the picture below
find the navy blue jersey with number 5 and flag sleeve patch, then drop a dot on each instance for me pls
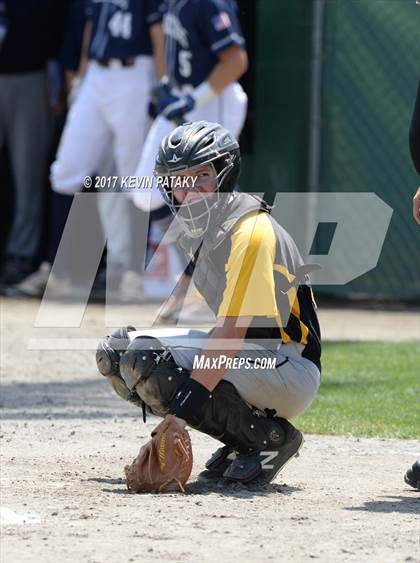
(196, 31)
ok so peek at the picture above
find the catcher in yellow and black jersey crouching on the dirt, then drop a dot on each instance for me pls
(250, 272)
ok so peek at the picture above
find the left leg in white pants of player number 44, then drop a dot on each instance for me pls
(83, 141)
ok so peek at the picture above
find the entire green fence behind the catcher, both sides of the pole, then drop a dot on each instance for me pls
(368, 65)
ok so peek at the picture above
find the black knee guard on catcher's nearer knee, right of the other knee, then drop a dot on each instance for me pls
(150, 370)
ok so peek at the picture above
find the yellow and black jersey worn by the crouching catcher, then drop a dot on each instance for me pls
(256, 266)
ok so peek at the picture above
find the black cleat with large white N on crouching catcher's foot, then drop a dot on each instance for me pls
(262, 466)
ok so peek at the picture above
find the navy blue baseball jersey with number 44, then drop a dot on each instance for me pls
(120, 28)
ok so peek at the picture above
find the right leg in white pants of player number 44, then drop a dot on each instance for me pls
(124, 103)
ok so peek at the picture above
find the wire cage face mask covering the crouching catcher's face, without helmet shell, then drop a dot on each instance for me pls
(193, 195)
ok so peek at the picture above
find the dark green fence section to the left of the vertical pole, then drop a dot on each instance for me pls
(280, 110)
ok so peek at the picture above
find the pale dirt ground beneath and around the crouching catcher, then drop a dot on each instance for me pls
(65, 438)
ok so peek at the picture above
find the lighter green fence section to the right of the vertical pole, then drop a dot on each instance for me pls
(371, 56)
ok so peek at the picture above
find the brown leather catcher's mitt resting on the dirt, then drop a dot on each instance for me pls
(164, 464)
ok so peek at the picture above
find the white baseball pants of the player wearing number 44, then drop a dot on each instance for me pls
(110, 110)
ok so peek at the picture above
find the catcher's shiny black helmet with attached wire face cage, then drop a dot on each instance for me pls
(191, 146)
